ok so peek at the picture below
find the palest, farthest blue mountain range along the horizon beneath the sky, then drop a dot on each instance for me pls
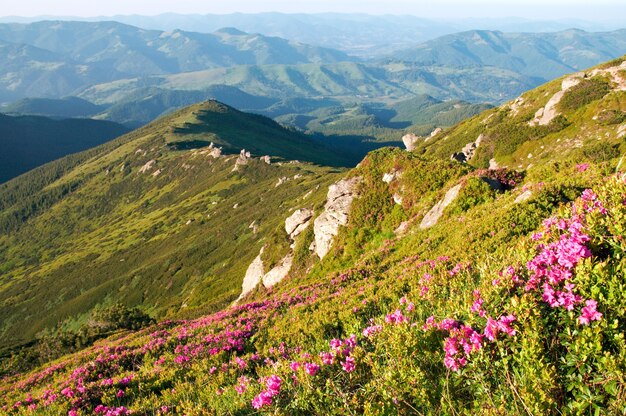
(362, 35)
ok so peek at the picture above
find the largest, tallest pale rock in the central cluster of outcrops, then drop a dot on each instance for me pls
(338, 202)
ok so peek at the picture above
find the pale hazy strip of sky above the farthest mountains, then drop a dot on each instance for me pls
(543, 9)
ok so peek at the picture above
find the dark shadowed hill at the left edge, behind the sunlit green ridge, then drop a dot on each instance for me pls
(30, 141)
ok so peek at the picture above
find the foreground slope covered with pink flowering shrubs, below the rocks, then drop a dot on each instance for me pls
(524, 322)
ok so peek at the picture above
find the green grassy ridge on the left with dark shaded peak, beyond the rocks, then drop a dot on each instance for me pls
(101, 231)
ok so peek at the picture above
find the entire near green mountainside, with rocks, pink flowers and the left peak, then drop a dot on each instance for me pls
(448, 288)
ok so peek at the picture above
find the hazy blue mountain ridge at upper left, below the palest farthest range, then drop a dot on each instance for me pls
(54, 58)
